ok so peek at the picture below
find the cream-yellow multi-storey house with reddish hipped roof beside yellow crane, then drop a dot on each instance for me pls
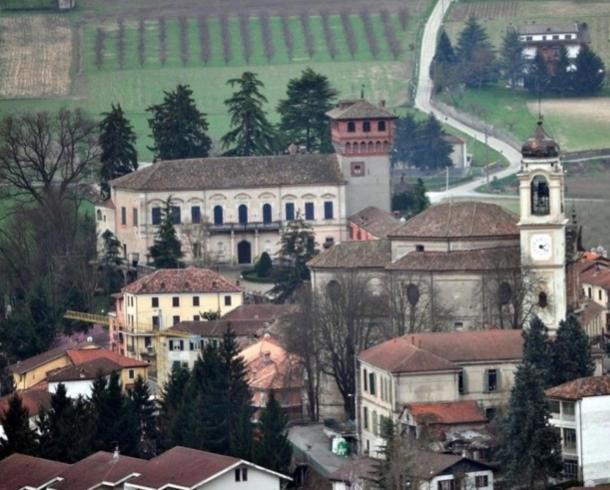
(165, 298)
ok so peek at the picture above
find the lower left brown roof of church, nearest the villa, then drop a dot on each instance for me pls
(358, 254)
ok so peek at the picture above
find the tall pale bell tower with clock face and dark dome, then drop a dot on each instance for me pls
(543, 226)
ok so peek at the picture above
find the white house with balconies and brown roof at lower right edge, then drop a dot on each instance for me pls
(580, 409)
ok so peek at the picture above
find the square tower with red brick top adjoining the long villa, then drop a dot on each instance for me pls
(362, 134)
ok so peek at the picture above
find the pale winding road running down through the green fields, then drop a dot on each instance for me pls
(422, 102)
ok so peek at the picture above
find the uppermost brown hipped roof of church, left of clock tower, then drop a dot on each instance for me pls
(463, 219)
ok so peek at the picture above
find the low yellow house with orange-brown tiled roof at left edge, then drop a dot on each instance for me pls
(37, 369)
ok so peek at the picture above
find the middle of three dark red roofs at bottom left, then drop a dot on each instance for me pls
(98, 468)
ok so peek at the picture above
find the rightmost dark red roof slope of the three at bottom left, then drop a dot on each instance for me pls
(183, 466)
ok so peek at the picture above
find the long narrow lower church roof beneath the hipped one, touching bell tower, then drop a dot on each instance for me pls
(490, 259)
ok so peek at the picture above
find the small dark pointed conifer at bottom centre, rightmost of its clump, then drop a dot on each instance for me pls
(272, 448)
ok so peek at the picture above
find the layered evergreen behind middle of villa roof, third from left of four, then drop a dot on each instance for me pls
(251, 133)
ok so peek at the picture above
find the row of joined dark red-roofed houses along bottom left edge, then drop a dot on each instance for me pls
(179, 468)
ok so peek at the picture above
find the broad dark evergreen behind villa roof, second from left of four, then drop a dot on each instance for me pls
(179, 129)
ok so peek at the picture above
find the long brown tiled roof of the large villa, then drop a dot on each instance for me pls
(234, 173)
